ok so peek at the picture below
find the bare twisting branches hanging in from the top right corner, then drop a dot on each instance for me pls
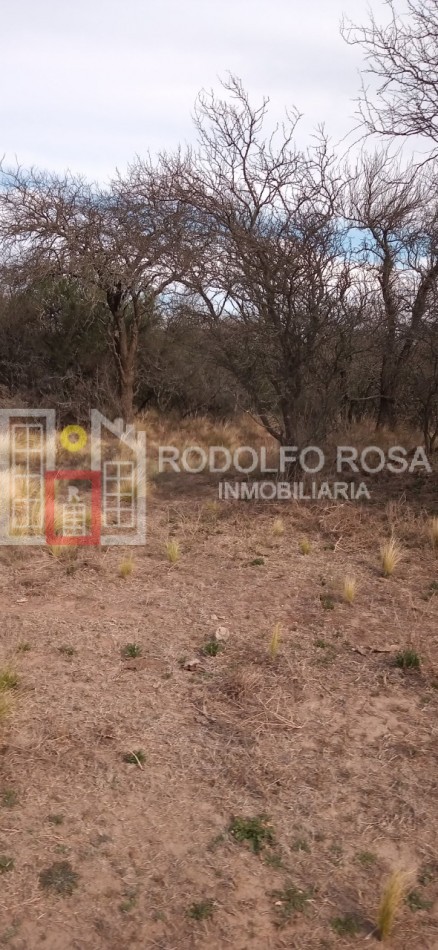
(402, 56)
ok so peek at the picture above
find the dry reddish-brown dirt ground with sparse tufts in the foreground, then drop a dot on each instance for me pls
(328, 741)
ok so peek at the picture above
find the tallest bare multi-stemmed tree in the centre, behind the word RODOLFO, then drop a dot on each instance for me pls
(269, 277)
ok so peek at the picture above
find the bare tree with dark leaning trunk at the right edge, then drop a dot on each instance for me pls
(396, 228)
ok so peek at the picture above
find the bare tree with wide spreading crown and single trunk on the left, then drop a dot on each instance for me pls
(118, 241)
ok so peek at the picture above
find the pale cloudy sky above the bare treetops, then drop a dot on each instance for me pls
(87, 85)
